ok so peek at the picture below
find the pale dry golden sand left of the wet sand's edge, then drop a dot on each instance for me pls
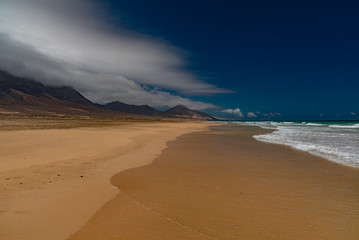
(52, 181)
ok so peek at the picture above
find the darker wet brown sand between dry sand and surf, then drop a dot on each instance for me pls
(223, 184)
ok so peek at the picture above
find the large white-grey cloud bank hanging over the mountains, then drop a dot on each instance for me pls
(72, 43)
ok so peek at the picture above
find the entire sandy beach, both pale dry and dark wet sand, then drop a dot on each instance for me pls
(195, 180)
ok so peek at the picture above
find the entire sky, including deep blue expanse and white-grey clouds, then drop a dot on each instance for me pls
(249, 60)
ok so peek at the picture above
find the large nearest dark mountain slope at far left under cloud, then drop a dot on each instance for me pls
(23, 96)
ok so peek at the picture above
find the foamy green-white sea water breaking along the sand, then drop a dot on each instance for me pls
(336, 141)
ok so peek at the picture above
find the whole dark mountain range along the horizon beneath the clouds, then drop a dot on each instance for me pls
(27, 97)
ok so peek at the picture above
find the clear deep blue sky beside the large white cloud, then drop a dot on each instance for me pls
(296, 58)
